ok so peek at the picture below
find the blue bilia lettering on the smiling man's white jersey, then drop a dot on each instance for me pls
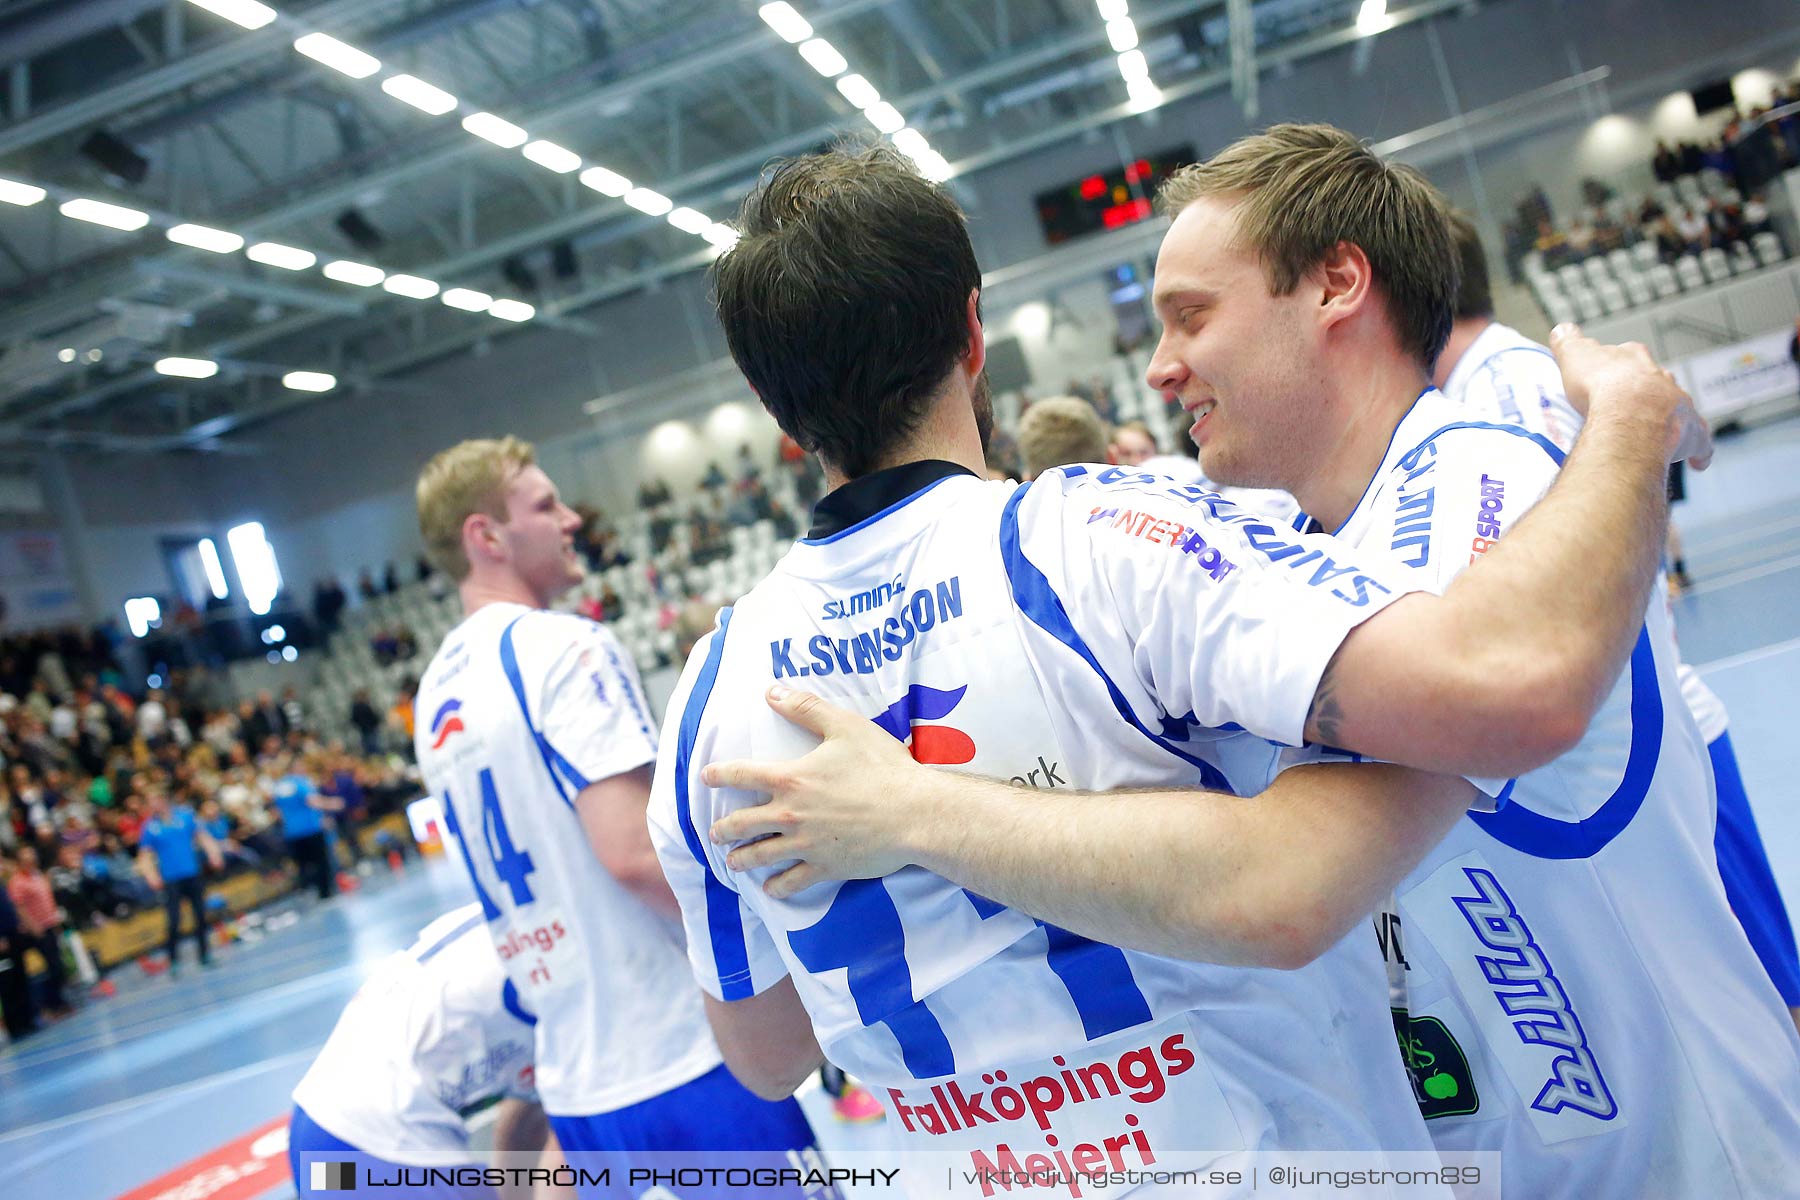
(1531, 992)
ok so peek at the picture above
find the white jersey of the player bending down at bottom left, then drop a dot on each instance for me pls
(436, 1030)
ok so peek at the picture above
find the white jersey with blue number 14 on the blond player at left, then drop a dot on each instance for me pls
(517, 713)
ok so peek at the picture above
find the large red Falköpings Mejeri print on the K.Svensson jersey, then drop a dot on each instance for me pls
(1110, 1109)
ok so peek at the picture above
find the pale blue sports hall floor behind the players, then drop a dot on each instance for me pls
(166, 1071)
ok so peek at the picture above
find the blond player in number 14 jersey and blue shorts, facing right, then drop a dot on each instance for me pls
(535, 733)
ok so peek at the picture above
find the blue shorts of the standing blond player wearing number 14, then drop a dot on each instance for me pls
(712, 1122)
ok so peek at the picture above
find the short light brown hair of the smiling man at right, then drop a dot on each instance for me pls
(1308, 188)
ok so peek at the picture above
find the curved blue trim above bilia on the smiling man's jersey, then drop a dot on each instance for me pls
(1547, 837)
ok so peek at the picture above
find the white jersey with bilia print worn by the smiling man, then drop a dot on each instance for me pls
(1581, 996)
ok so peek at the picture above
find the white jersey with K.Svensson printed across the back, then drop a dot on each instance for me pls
(1066, 634)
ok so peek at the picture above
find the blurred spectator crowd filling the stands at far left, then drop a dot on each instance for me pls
(85, 766)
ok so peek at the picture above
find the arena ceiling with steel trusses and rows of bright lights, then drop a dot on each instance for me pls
(325, 195)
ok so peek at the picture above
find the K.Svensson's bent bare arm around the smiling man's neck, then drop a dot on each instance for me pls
(1502, 674)
